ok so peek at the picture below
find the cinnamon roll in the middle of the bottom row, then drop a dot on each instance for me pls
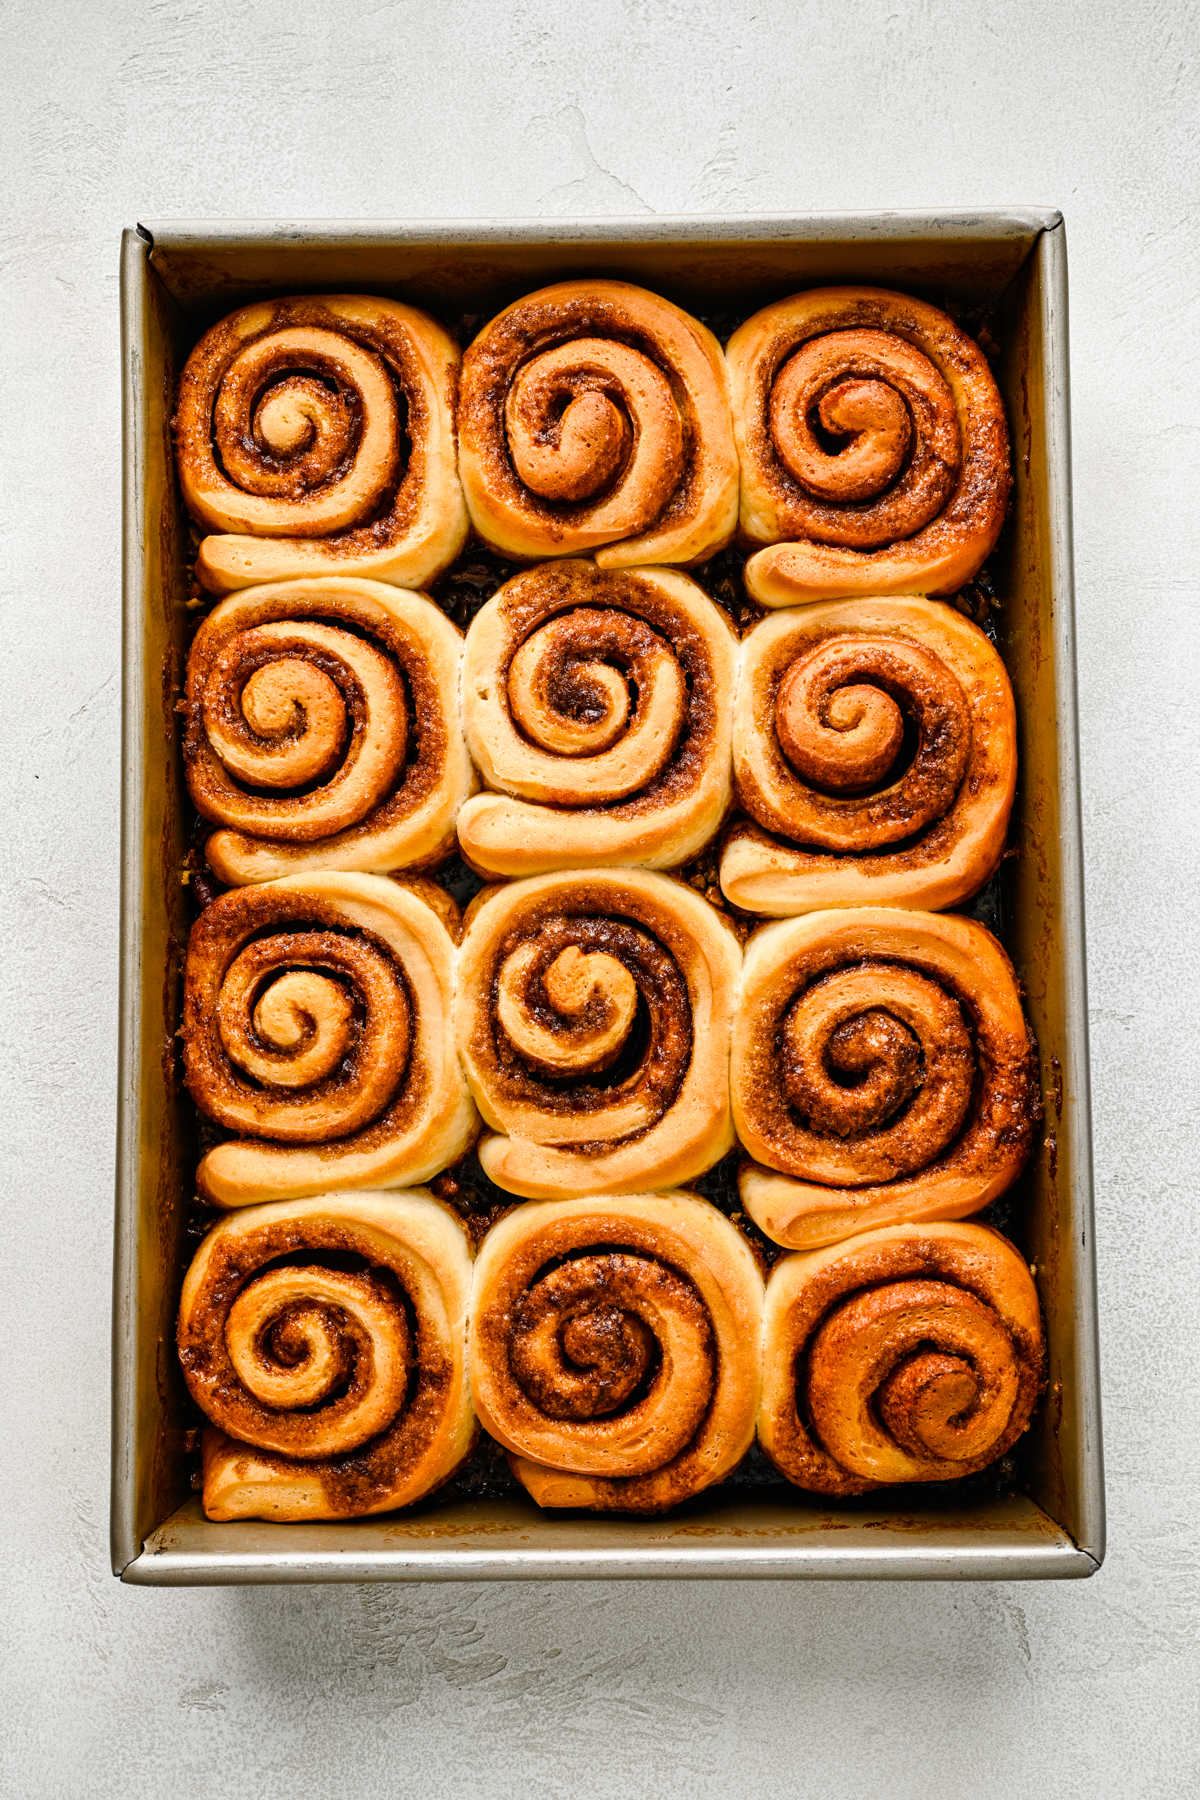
(614, 1349)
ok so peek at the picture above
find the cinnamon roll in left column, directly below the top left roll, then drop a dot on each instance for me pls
(325, 730)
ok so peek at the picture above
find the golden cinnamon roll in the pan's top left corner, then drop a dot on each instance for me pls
(316, 436)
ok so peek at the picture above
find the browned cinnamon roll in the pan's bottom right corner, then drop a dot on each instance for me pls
(906, 1354)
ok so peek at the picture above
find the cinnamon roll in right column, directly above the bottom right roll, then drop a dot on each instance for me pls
(882, 1072)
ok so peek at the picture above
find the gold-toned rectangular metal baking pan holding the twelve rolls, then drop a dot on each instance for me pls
(175, 280)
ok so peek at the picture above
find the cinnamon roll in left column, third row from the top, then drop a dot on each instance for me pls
(318, 1034)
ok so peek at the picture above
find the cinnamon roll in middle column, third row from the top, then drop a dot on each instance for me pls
(593, 1020)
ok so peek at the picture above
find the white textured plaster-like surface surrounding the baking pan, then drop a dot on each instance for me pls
(116, 112)
